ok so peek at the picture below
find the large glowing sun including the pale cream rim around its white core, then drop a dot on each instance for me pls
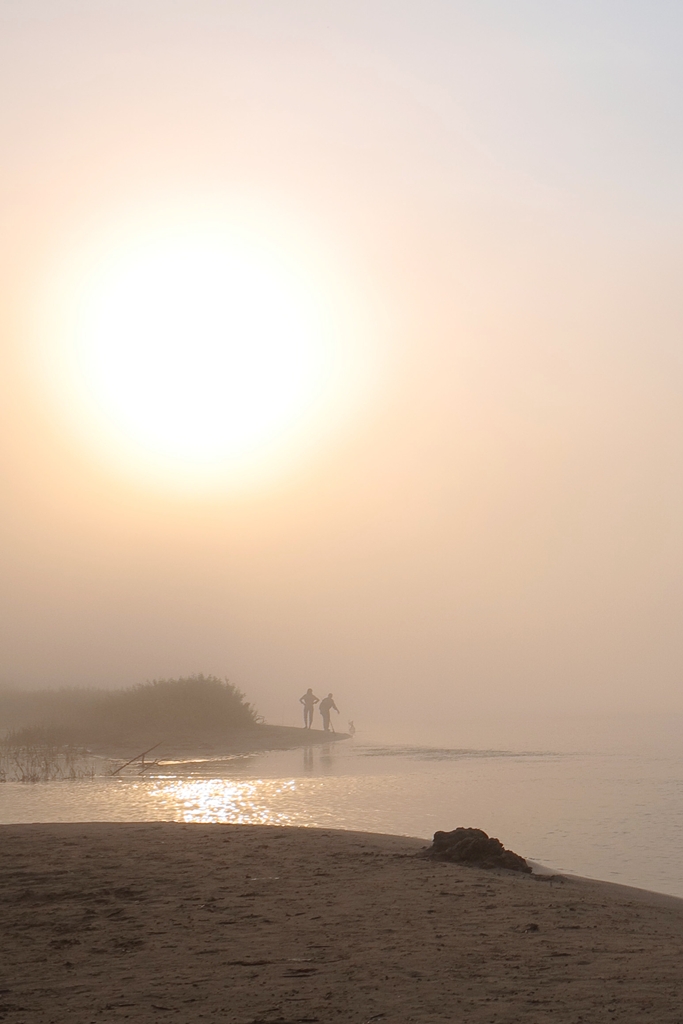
(202, 352)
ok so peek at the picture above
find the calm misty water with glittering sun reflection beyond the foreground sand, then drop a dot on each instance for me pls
(614, 818)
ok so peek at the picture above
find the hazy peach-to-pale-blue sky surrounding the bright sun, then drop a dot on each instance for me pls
(494, 526)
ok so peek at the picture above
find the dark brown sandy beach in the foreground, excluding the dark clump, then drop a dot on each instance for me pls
(261, 925)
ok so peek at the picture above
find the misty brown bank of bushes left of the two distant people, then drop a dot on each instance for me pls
(164, 710)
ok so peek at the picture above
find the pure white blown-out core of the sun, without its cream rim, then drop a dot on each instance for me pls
(201, 350)
